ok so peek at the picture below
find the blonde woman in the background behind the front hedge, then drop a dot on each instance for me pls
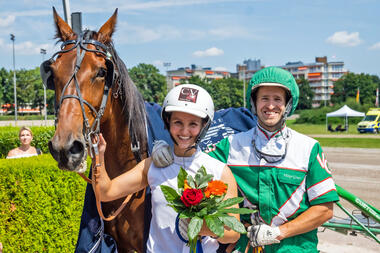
(25, 150)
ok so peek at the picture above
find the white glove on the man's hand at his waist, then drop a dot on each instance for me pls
(263, 234)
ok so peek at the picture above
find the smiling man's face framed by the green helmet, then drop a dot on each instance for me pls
(270, 106)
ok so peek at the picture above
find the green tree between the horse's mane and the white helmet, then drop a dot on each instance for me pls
(149, 81)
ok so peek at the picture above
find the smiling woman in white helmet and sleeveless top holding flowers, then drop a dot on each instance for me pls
(187, 113)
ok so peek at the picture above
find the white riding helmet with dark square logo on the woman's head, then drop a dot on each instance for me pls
(192, 99)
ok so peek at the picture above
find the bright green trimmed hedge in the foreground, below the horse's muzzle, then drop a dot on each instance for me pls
(40, 205)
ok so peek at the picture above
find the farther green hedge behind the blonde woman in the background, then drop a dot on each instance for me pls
(9, 138)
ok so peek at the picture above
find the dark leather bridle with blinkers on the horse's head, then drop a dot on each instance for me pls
(81, 48)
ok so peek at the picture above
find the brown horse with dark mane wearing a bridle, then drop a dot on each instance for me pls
(87, 69)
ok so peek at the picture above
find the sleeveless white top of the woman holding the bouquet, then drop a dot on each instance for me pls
(162, 236)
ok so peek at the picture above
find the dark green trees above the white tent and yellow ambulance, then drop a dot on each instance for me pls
(347, 86)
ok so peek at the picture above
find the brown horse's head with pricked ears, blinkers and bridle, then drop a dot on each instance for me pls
(81, 75)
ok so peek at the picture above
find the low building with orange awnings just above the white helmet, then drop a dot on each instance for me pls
(176, 77)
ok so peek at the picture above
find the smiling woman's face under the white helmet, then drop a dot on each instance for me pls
(185, 128)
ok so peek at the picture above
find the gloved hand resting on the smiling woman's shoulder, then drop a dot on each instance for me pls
(162, 155)
